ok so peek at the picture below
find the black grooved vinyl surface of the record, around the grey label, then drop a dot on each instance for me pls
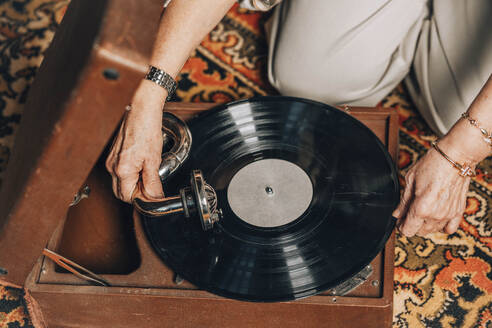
(355, 189)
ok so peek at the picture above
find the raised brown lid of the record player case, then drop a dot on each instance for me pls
(94, 63)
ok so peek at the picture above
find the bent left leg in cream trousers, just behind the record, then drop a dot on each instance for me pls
(338, 61)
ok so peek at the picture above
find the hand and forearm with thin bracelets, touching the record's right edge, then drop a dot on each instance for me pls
(435, 193)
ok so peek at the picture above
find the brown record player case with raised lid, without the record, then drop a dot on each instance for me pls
(73, 109)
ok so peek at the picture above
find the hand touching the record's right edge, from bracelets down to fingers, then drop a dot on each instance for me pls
(434, 198)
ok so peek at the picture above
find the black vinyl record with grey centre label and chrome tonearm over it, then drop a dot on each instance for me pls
(305, 193)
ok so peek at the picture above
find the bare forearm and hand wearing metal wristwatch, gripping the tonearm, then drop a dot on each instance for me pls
(136, 153)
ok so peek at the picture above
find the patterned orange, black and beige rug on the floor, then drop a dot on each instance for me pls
(440, 281)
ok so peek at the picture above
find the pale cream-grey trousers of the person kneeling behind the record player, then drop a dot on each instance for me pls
(355, 52)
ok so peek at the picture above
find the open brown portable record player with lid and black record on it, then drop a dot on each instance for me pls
(305, 205)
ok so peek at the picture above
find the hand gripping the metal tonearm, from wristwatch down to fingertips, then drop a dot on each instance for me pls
(136, 151)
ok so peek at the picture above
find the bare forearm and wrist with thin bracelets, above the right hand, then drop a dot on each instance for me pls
(464, 142)
